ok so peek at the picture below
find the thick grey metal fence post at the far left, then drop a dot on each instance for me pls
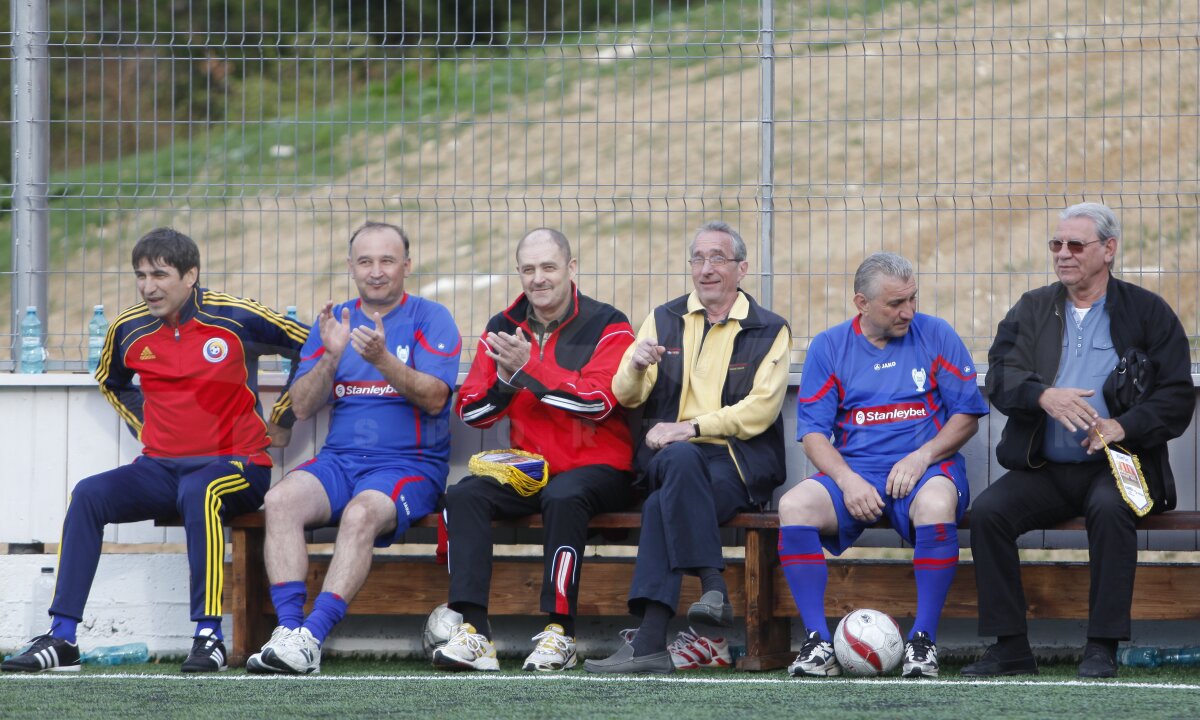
(31, 161)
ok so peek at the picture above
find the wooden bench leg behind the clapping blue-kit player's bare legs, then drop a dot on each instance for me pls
(249, 592)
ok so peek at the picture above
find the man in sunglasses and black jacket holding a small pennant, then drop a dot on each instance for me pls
(1048, 369)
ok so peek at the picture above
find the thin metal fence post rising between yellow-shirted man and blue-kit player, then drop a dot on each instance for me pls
(767, 141)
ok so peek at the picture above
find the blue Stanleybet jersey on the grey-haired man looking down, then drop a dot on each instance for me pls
(879, 405)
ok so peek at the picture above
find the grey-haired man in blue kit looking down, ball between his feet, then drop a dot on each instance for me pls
(886, 403)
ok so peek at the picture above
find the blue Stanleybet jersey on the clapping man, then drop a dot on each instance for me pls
(369, 416)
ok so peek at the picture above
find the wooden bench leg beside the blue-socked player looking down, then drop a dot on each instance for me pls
(769, 639)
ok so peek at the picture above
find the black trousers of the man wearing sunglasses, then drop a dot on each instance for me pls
(1023, 501)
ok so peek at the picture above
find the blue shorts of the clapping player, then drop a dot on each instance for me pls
(345, 477)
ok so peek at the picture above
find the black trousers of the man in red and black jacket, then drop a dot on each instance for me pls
(568, 503)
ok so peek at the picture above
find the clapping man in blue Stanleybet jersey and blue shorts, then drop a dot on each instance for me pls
(388, 363)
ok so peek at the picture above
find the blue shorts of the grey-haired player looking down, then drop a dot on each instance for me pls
(897, 512)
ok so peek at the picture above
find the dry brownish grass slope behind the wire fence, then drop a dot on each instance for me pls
(950, 139)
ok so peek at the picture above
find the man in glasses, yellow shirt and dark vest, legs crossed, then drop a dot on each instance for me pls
(710, 371)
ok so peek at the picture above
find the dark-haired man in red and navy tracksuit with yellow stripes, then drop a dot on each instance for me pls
(205, 440)
